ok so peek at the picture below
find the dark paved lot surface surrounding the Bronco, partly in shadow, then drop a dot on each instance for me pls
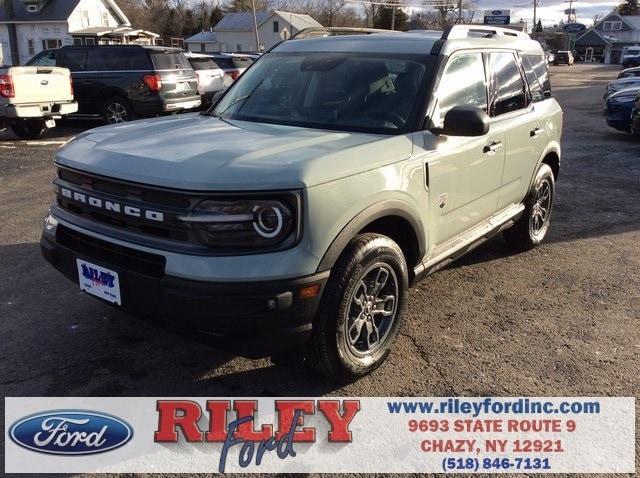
(563, 319)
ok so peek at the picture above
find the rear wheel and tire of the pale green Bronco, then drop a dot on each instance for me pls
(533, 226)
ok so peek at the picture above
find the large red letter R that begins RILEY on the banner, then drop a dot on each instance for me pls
(169, 420)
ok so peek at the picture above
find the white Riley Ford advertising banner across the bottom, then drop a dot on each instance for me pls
(268, 435)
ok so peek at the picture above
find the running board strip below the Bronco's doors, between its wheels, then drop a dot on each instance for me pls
(456, 247)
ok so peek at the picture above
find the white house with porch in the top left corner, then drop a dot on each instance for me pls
(30, 26)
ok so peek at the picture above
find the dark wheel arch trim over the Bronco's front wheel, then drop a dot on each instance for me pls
(393, 218)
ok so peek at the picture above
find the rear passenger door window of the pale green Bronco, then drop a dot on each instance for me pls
(507, 92)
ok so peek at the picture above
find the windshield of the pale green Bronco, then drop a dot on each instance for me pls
(374, 93)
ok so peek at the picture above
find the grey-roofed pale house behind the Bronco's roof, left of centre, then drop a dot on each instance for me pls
(235, 32)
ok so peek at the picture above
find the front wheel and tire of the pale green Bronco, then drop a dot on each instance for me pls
(366, 259)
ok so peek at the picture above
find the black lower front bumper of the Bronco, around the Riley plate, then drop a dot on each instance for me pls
(241, 309)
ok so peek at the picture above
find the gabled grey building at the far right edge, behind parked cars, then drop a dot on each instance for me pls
(606, 40)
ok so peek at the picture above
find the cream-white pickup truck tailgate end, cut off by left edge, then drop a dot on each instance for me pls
(32, 98)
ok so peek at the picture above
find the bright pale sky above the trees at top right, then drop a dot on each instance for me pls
(550, 11)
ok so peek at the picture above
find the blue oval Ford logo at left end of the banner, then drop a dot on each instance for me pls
(70, 432)
